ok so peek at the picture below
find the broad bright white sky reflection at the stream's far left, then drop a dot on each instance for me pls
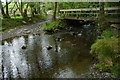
(14, 61)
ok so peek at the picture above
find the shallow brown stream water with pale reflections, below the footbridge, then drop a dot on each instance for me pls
(68, 58)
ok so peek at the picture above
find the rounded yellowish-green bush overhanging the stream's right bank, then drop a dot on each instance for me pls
(106, 48)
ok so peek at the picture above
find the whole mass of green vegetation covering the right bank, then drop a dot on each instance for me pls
(108, 51)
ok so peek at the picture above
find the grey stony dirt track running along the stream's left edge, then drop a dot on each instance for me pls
(33, 28)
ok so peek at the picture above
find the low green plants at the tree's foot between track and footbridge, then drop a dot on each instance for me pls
(54, 25)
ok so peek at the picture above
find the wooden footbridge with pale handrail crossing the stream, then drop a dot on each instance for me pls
(112, 14)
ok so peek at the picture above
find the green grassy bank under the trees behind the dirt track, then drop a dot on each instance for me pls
(19, 21)
